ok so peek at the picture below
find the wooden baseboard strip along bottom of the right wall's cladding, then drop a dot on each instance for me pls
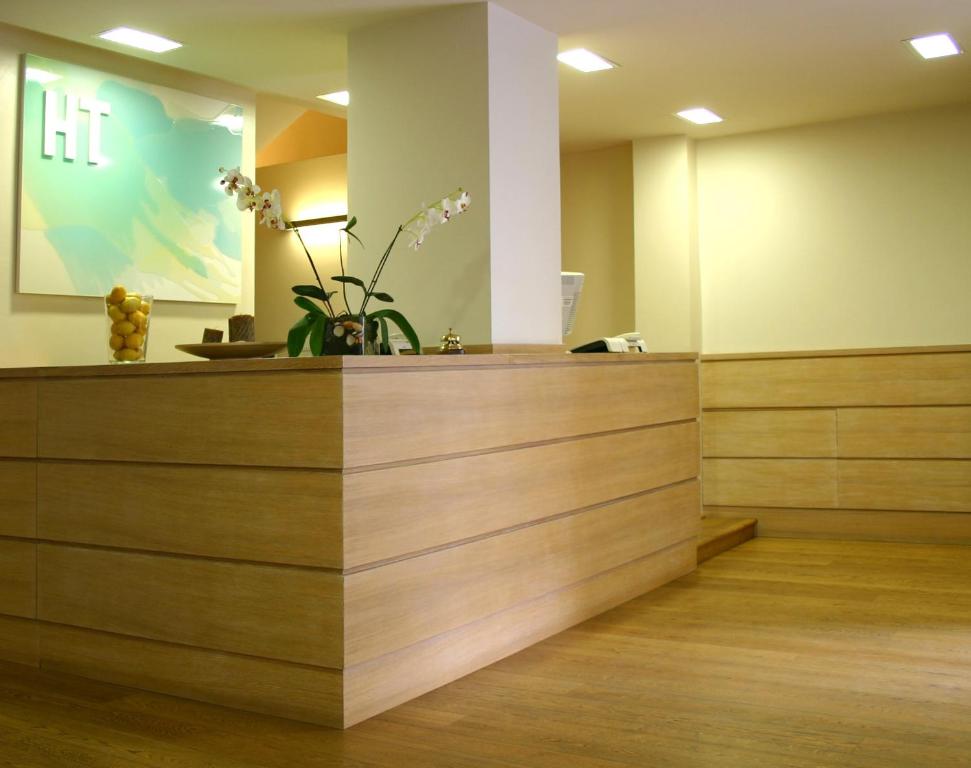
(851, 524)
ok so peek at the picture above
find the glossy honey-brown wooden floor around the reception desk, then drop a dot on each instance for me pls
(778, 653)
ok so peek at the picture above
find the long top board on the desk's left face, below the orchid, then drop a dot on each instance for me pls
(250, 419)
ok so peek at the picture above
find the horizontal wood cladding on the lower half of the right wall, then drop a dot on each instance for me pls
(899, 450)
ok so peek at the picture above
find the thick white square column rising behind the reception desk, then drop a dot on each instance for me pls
(462, 96)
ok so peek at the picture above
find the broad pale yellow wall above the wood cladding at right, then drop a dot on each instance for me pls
(847, 234)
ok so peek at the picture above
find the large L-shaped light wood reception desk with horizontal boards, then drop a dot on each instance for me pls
(322, 539)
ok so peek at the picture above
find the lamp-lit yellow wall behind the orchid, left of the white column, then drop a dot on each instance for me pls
(309, 189)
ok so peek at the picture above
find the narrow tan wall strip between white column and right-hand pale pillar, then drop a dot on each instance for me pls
(598, 239)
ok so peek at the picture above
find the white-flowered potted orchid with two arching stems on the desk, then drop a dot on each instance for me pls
(322, 322)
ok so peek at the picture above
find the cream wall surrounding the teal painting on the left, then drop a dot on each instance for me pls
(63, 330)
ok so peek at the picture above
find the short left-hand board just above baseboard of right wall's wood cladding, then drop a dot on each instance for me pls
(770, 482)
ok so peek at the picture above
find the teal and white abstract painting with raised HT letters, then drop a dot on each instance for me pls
(120, 185)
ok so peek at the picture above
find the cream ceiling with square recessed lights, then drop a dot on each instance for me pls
(759, 63)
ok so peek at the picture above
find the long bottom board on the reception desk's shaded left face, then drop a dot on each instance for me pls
(258, 685)
